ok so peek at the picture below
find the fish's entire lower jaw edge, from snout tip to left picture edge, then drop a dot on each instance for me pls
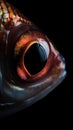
(17, 107)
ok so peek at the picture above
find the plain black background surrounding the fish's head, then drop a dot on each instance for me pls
(54, 19)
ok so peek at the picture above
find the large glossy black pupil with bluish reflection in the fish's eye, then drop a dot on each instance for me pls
(35, 58)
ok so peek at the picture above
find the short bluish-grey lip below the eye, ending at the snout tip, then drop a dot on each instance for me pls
(48, 89)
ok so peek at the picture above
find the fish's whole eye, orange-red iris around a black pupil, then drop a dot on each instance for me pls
(32, 52)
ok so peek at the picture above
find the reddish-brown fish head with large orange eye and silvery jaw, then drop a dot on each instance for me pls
(30, 65)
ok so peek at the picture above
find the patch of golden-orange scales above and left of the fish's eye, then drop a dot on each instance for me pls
(9, 17)
